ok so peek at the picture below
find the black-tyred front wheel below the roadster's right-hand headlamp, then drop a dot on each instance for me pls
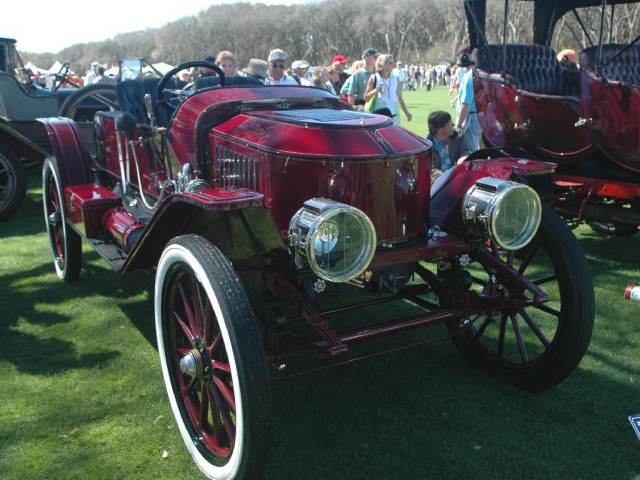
(535, 347)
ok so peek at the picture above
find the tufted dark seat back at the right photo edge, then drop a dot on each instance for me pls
(625, 68)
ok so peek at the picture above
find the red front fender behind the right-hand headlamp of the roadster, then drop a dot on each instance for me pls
(448, 190)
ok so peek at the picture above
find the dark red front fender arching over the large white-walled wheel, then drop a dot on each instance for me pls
(233, 219)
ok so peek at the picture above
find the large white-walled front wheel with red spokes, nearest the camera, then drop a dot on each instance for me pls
(212, 359)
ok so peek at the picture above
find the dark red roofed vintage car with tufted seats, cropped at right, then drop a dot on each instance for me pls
(585, 117)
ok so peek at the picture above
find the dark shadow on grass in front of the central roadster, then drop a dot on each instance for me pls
(425, 414)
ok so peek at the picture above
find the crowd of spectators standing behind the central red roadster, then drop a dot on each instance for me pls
(375, 82)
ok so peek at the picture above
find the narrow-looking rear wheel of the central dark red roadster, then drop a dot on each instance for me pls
(65, 242)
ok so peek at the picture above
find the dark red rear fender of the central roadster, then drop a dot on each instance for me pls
(67, 145)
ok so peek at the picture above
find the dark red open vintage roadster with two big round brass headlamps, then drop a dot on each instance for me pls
(273, 214)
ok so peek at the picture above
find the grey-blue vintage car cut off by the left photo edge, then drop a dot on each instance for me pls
(22, 100)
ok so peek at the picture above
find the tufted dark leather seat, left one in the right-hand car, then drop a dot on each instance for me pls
(534, 67)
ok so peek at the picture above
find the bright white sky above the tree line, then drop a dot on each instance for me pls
(48, 26)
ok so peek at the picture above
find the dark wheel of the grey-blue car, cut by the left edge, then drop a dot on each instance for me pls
(13, 182)
